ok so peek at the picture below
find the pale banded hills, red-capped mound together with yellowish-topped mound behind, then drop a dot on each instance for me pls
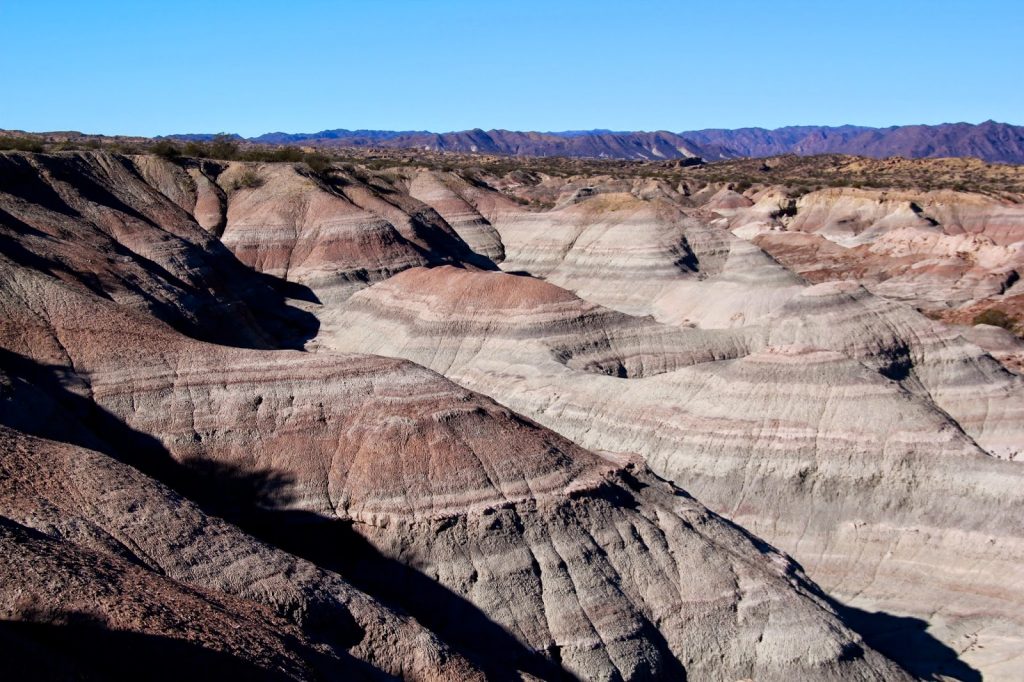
(847, 429)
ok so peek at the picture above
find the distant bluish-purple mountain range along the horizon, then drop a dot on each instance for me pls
(992, 142)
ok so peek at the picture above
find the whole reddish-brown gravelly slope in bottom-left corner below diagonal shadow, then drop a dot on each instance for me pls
(167, 555)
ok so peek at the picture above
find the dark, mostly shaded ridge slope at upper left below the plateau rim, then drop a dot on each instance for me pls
(92, 221)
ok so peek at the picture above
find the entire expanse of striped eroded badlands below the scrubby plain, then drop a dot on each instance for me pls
(448, 418)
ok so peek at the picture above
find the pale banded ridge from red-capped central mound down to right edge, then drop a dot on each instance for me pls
(817, 450)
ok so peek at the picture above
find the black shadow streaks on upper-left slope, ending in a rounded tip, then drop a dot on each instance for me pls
(224, 302)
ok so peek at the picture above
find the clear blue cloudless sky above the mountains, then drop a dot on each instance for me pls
(302, 66)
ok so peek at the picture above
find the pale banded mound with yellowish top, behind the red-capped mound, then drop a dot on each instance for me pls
(598, 247)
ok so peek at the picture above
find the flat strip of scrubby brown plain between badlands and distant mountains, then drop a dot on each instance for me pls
(801, 175)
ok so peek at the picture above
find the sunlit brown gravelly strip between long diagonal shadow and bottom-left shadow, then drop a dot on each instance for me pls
(94, 503)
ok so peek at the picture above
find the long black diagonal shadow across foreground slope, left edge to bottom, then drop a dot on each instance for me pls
(37, 402)
